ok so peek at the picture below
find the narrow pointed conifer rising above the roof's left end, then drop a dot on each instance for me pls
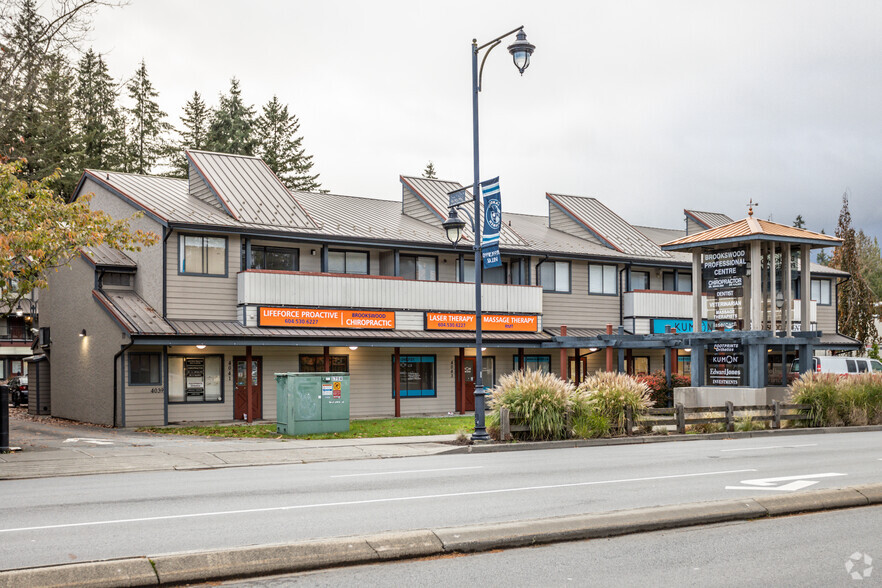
(147, 126)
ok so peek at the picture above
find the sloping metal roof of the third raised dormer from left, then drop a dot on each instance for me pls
(606, 225)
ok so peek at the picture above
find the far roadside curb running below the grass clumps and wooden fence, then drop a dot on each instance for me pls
(498, 447)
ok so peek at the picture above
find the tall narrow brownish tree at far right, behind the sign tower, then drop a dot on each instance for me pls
(855, 311)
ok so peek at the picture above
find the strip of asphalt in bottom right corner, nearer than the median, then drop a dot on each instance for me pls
(807, 550)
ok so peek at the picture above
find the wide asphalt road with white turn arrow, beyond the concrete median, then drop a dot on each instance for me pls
(61, 520)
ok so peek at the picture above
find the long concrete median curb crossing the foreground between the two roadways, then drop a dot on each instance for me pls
(302, 556)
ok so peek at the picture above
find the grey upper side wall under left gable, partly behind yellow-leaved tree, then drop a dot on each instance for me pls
(149, 259)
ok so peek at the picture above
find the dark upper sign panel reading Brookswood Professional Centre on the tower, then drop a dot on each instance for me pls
(724, 277)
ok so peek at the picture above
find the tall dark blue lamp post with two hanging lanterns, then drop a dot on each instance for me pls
(520, 50)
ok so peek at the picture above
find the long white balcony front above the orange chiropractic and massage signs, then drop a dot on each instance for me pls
(276, 288)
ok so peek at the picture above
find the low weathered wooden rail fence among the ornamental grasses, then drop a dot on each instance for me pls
(681, 417)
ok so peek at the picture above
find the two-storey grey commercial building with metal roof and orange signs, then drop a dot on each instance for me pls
(248, 272)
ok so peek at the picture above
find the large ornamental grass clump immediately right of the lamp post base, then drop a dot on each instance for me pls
(537, 399)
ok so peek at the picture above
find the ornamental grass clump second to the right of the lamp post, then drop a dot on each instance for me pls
(608, 393)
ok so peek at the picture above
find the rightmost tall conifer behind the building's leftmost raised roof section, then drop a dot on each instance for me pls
(281, 148)
